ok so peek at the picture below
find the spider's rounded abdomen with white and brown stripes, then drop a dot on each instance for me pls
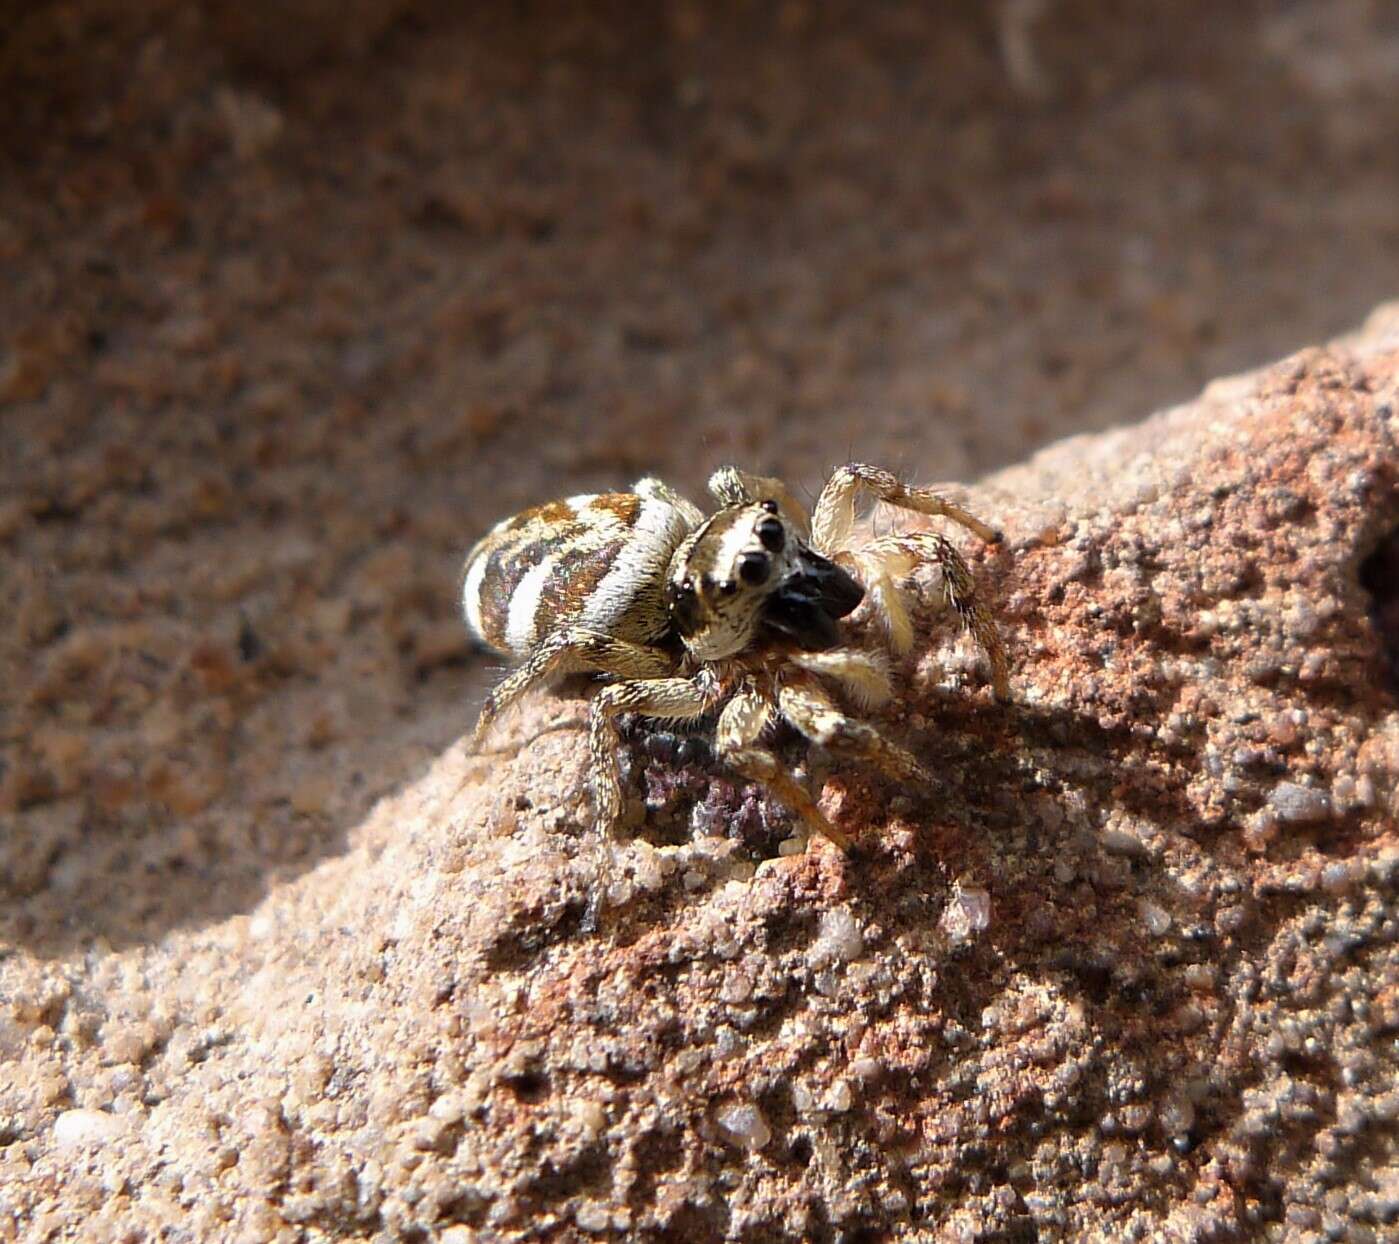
(595, 560)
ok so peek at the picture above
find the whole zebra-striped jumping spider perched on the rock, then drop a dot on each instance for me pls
(741, 611)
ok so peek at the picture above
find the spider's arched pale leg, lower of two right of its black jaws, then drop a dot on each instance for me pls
(890, 558)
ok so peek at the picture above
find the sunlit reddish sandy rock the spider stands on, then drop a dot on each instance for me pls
(1131, 969)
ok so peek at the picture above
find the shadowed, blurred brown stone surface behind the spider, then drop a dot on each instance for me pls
(299, 297)
